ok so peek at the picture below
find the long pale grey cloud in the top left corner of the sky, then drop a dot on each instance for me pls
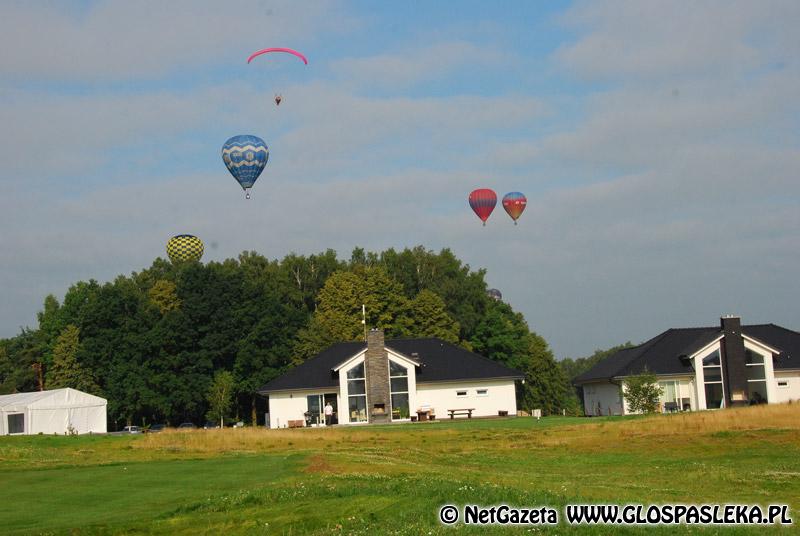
(117, 40)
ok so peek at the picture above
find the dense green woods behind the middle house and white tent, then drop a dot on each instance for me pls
(152, 342)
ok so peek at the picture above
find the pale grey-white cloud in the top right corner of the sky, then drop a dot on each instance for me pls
(672, 41)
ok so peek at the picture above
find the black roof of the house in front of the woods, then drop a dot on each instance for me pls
(439, 361)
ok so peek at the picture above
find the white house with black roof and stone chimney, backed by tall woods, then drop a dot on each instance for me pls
(388, 381)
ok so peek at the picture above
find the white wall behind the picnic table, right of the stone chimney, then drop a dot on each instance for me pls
(500, 396)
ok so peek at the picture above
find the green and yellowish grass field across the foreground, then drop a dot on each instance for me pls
(392, 479)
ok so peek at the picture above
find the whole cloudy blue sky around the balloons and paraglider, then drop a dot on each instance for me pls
(658, 144)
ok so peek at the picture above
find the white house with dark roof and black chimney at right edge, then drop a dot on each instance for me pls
(702, 368)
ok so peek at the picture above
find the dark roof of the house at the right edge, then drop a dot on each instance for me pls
(661, 354)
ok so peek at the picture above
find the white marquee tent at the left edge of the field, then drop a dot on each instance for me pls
(47, 412)
